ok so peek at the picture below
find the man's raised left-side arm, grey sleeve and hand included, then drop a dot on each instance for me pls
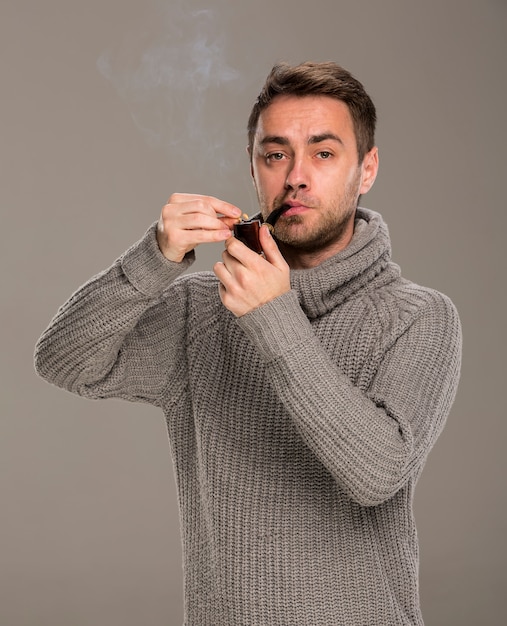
(110, 338)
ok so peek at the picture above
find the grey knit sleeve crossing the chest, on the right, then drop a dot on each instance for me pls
(372, 441)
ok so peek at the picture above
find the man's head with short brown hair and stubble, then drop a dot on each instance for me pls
(312, 155)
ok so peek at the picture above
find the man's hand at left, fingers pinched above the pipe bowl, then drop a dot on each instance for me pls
(188, 220)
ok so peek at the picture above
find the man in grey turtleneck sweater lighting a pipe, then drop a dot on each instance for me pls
(303, 387)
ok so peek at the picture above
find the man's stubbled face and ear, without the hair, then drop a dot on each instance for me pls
(304, 154)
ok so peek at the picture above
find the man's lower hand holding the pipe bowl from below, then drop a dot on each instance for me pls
(249, 280)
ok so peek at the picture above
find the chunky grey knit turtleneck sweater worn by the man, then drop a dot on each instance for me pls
(297, 431)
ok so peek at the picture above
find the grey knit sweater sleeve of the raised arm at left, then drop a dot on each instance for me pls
(115, 336)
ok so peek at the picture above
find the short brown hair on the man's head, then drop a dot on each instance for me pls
(324, 79)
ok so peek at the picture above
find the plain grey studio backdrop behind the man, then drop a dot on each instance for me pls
(107, 107)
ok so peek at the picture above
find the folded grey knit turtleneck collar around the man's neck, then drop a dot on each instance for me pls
(368, 256)
